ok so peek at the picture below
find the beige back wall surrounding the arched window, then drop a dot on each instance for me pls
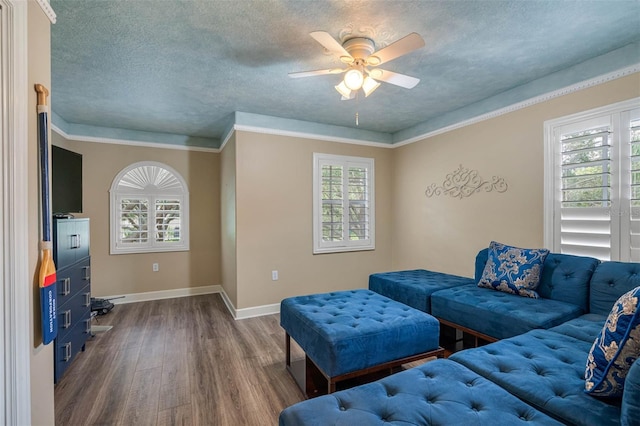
(132, 273)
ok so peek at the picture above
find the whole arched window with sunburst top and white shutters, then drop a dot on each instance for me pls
(149, 209)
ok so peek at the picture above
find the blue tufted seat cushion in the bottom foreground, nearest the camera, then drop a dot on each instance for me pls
(438, 392)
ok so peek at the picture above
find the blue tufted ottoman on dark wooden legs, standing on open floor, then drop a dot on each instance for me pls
(348, 334)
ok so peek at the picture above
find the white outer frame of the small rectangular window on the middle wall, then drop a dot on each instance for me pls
(319, 246)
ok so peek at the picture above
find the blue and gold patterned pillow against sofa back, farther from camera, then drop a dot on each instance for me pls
(513, 270)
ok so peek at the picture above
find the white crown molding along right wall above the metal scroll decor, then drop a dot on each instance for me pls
(526, 103)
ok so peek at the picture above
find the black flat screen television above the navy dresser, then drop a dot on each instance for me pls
(66, 181)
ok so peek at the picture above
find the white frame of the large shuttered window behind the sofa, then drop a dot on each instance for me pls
(551, 221)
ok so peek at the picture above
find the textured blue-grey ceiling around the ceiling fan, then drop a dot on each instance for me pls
(185, 67)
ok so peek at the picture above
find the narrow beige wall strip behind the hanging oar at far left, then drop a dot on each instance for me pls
(39, 64)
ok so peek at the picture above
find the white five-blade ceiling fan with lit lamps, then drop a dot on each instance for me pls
(359, 54)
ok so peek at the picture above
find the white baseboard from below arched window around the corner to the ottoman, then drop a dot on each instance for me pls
(238, 314)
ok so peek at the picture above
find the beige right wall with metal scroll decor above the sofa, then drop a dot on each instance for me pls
(443, 233)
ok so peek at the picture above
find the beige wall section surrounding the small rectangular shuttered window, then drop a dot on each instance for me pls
(274, 220)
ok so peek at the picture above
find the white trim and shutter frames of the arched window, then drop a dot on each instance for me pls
(150, 194)
